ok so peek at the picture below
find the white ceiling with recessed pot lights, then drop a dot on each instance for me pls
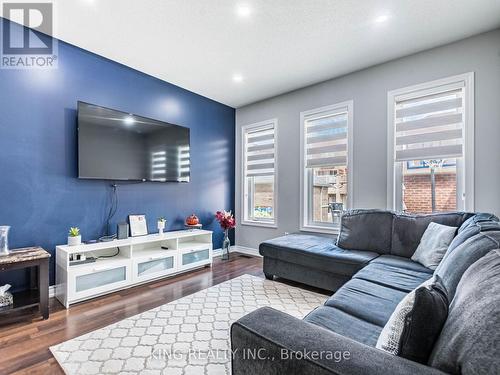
(280, 46)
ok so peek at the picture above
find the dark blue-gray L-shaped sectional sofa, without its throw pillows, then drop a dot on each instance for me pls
(370, 270)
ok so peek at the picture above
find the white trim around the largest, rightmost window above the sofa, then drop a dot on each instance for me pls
(468, 166)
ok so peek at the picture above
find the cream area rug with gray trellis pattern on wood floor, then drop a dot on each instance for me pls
(187, 336)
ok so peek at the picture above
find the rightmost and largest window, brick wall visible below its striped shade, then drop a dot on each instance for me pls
(431, 146)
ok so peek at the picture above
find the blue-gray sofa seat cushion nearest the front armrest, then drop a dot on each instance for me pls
(344, 324)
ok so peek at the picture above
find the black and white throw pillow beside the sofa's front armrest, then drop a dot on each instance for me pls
(416, 323)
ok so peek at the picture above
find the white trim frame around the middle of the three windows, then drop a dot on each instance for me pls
(305, 226)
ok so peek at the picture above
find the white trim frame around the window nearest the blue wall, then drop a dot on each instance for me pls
(244, 130)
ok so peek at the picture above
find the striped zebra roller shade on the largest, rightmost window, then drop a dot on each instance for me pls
(430, 126)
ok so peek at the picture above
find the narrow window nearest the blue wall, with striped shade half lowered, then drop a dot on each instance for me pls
(259, 173)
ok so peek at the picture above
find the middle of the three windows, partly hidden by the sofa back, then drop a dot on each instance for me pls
(326, 155)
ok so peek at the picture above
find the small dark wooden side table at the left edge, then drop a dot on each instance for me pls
(37, 259)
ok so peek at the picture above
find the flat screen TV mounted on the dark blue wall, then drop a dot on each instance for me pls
(115, 145)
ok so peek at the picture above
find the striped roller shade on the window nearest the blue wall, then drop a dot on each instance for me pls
(260, 151)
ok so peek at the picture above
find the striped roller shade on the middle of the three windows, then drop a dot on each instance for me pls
(326, 140)
